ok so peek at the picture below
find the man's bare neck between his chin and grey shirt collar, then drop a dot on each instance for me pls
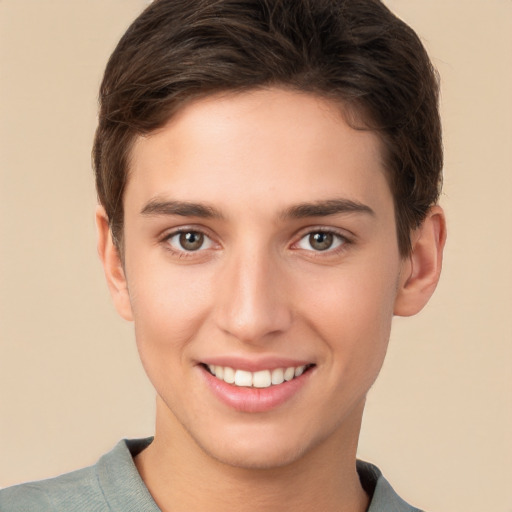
(181, 476)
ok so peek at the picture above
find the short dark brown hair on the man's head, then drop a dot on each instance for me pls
(355, 52)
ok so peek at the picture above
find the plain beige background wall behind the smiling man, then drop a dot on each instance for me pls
(439, 420)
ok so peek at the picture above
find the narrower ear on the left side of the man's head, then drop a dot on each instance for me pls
(112, 266)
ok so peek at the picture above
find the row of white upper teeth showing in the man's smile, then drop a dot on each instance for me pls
(260, 379)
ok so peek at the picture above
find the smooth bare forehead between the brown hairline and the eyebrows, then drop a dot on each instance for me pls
(260, 145)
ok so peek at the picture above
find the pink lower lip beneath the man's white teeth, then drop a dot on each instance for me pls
(247, 399)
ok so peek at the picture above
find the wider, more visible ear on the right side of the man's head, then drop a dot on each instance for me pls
(421, 269)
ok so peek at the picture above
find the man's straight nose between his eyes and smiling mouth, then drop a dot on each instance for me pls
(252, 304)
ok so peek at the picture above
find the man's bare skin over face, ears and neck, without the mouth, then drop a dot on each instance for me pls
(258, 288)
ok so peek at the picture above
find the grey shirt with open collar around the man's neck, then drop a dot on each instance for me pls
(113, 484)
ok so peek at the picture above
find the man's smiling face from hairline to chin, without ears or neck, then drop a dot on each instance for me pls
(260, 248)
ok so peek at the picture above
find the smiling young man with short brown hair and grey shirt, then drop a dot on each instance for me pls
(268, 172)
